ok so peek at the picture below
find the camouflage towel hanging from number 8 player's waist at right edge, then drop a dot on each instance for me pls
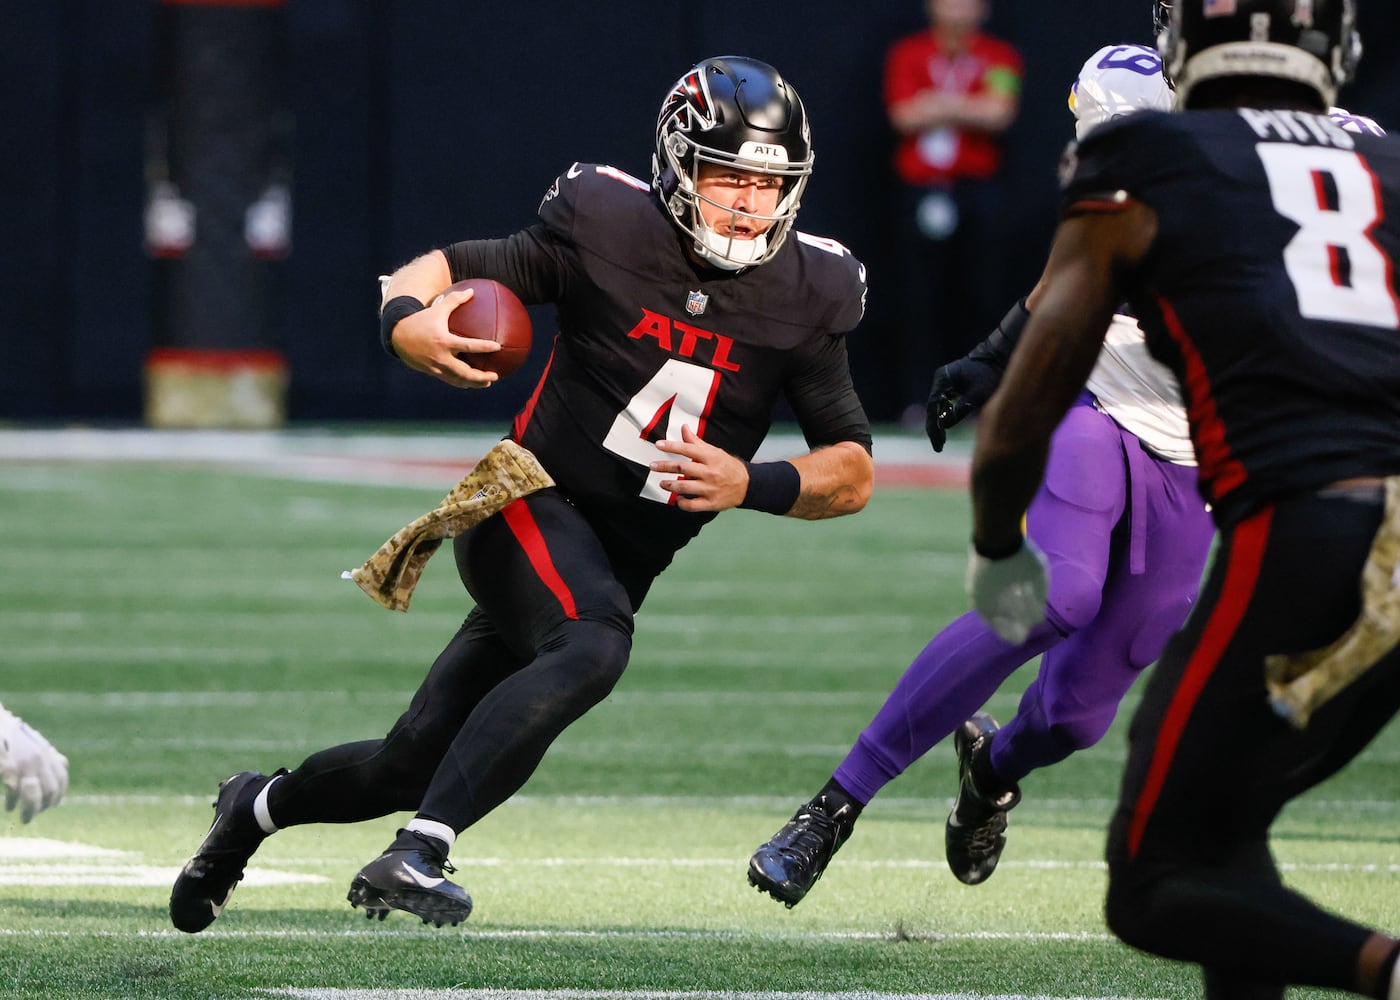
(1303, 683)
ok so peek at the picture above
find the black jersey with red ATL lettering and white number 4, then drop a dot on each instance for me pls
(649, 341)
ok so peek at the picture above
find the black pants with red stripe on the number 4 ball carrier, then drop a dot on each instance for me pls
(548, 639)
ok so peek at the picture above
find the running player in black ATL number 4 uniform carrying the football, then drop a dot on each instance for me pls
(688, 309)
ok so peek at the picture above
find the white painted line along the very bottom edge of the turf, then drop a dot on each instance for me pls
(334, 994)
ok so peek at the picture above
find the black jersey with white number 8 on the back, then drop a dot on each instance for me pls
(1270, 289)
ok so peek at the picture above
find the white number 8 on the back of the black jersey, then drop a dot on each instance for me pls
(1338, 270)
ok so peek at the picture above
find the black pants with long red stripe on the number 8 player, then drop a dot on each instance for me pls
(1210, 765)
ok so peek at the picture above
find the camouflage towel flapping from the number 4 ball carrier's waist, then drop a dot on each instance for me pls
(505, 474)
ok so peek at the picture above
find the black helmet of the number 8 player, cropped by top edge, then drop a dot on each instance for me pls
(1311, 43)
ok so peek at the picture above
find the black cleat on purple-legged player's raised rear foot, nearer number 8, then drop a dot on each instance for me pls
(976, 831)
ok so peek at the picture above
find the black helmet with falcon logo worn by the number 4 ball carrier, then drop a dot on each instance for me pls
(738, 113)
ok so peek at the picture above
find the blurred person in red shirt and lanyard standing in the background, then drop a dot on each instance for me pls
(951, 93)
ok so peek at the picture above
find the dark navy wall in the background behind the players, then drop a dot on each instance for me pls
(425, 123)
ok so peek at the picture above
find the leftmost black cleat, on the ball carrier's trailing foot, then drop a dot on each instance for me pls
(209, 879)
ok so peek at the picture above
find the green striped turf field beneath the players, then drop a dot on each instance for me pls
(167, 625)
